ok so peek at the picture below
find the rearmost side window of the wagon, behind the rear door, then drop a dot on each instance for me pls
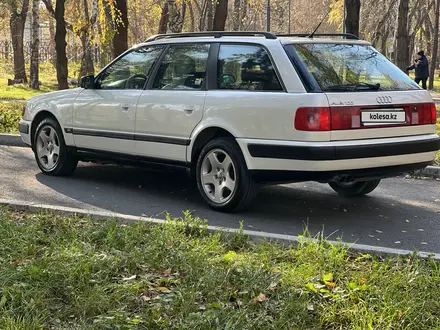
(246, 67)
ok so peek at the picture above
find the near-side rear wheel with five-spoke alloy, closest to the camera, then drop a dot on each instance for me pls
(221, 159)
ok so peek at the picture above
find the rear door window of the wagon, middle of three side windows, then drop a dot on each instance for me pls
(183, 67)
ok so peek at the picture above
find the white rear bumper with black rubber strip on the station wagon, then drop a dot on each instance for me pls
(356, 158)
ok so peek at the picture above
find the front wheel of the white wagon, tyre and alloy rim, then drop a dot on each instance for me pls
(50, 150)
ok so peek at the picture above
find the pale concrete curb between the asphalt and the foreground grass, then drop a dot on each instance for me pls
(256, 236)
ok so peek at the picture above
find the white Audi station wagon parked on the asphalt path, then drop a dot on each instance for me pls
(241, 109)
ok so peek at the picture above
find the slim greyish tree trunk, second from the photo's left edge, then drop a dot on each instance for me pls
(35, 54)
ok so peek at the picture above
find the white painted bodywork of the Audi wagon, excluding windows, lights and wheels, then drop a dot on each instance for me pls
(266, 117)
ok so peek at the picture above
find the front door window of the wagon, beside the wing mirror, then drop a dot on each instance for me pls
(130, 71)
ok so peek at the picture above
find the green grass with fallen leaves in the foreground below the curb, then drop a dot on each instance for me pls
(69, 273)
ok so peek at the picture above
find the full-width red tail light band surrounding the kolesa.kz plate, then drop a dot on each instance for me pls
(346, 118)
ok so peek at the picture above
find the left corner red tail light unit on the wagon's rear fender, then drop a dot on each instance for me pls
(312, 119)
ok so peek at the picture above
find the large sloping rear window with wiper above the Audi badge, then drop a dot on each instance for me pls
(352, 68)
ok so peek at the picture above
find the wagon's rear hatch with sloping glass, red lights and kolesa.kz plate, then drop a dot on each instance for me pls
(368, 96)
